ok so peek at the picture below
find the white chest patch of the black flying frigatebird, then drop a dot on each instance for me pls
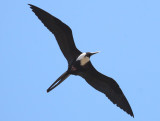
(83, 59)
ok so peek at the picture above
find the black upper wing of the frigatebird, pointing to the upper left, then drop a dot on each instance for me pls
(61, 31)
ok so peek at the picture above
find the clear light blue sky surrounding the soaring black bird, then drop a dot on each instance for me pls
(127, 32)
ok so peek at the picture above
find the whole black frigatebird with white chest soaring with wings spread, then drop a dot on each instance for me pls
(79, 63)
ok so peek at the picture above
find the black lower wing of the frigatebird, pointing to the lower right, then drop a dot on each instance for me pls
(106, 85)
